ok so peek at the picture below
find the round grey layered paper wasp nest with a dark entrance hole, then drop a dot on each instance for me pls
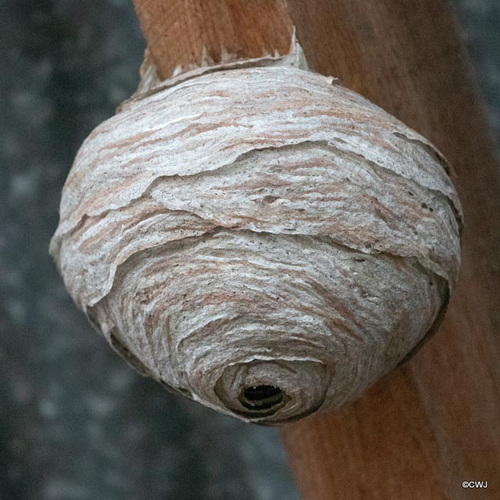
(259, 238)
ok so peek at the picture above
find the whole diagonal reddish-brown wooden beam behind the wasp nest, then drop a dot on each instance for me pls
(434, 422)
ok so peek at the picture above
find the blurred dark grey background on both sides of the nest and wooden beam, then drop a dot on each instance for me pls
(75, 422)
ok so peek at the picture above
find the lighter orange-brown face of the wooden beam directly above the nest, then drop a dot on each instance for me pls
(179, 32)
